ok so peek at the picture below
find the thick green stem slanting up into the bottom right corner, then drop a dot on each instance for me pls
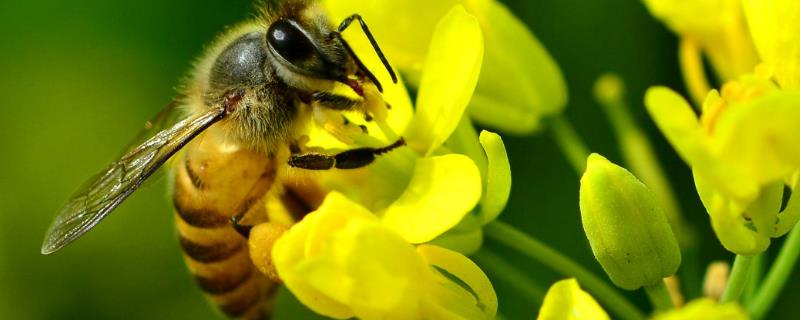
(777, 276)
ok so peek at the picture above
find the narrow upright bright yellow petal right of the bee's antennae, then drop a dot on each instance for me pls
(451, 72)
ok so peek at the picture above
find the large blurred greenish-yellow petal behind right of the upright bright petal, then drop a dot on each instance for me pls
(520, 82)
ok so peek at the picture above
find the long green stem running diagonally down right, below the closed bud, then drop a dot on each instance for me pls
(529, 246)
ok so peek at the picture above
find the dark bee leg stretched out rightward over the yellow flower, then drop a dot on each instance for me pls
(350, 159)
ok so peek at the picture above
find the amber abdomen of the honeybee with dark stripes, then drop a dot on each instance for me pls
(212, 184)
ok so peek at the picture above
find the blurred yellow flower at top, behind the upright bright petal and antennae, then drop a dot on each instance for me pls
(519, 84)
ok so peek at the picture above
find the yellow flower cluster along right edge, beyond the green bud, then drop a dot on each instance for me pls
(742, 149)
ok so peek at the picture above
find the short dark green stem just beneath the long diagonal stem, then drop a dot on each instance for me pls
(496, 266)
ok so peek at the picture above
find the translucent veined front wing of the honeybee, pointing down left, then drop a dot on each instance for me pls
(105, 191)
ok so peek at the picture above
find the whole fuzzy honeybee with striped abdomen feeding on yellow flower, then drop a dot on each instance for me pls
(245, 106)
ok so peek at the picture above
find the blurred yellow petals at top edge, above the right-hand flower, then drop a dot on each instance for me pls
(716, 26)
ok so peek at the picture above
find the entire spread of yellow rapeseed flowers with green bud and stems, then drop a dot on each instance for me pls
(391, 240)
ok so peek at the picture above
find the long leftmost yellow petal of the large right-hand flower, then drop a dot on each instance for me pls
(676, 120)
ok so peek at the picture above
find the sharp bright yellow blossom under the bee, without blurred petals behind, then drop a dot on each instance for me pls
(366, 251)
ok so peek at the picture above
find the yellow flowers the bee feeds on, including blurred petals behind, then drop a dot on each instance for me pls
(389, 241)
